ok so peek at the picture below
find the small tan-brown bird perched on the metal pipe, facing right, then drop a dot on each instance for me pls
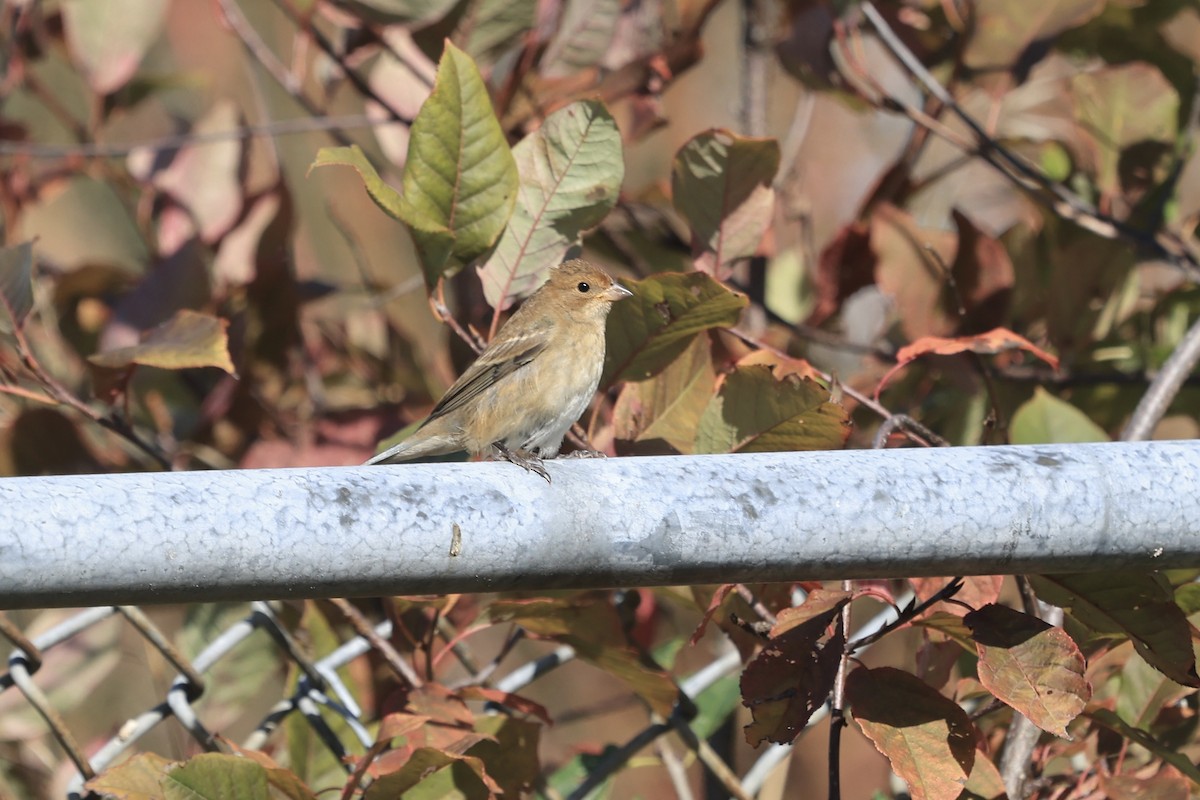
(531, 383)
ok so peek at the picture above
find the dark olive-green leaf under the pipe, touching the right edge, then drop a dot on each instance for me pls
(1136, 606)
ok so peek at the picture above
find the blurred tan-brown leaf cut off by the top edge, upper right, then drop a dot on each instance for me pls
(1004, 29)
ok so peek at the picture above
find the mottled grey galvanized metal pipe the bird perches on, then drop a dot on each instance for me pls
(391, 531)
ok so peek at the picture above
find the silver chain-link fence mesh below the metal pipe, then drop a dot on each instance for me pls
(320, 689)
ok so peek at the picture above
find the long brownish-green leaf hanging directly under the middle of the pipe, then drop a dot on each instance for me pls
(591, 625)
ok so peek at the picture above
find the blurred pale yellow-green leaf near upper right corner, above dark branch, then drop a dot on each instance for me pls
(1120, 106)
